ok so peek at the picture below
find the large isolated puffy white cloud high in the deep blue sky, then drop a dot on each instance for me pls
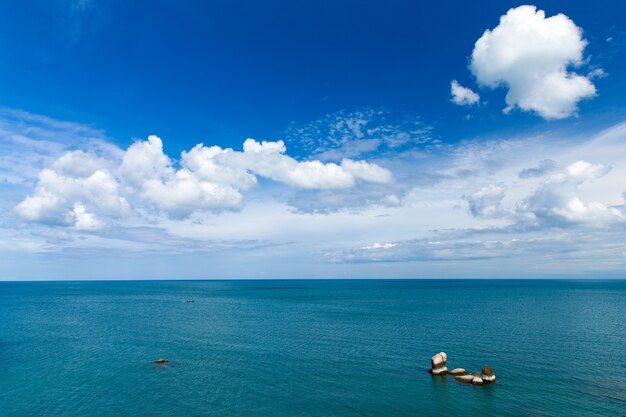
(531, 55)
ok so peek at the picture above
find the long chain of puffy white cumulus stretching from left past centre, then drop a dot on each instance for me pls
(78, 187)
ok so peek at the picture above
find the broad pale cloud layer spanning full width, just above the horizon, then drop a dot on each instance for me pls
(547, 204)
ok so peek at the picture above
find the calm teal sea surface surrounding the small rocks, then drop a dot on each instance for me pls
(311, 348)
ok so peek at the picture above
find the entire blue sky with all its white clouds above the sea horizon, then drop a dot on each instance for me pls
(313, 139)
